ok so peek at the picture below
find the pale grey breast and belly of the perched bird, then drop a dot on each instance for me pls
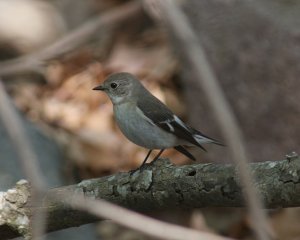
(141, 130)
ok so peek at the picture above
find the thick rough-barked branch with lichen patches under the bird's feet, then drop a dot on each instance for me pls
(164, 186)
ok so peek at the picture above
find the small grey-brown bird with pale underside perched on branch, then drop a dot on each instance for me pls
(146, 121)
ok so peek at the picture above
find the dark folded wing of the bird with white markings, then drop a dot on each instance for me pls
(157, 113)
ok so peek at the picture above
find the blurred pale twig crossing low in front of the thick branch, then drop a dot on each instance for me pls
(136, 221)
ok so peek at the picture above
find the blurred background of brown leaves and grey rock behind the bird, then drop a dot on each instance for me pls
(253, 48)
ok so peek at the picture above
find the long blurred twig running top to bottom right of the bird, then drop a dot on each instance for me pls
(194, 51)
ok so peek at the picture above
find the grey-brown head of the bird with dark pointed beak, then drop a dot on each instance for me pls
(119, 87)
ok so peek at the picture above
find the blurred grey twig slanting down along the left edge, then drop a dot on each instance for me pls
(28, 158)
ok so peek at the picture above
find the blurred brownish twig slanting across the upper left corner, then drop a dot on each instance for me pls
(34, 61)
